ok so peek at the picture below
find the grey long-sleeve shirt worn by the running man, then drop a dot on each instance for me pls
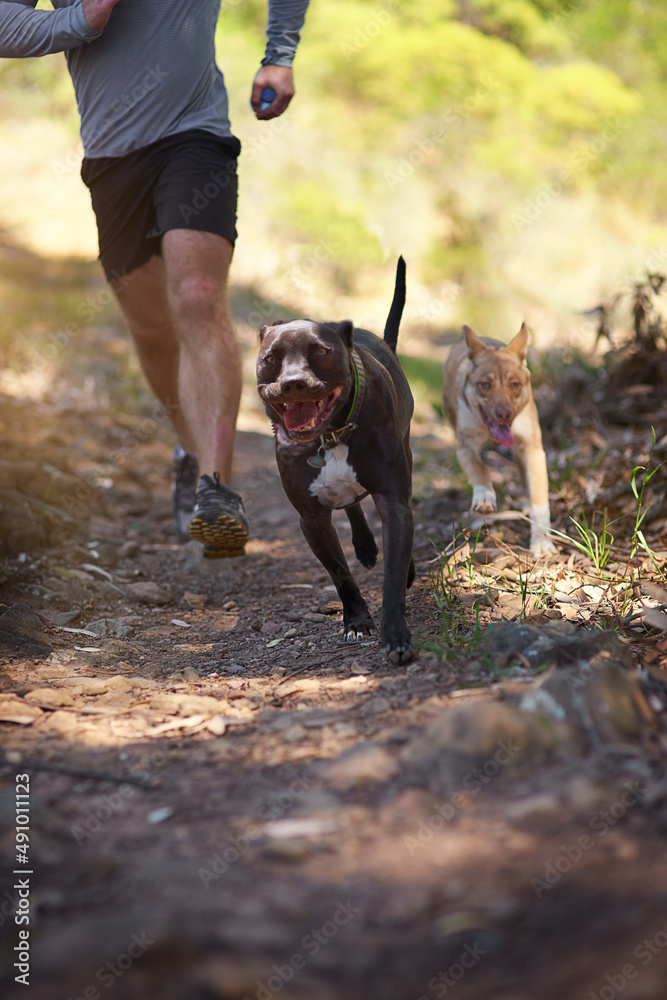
(150, 73)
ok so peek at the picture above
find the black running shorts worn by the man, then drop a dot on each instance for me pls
(186, 181)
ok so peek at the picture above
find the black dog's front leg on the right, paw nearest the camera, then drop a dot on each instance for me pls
(397, 539)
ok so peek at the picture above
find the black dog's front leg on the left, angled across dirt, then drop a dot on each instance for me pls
(320, 534)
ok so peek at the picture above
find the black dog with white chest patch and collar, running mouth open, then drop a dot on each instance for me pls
(341, 408)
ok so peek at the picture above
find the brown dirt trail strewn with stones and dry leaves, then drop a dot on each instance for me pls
(228, 802)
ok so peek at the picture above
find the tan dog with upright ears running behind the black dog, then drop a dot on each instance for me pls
(489, 400)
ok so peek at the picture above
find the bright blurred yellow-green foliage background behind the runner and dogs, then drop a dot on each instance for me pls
(512, 150)
